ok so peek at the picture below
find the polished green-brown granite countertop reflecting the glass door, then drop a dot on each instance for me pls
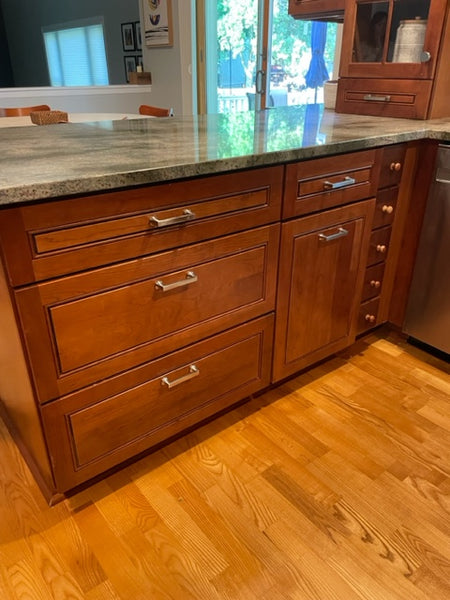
(66, 159)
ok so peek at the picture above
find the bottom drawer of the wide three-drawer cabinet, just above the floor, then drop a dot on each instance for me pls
(96, 429)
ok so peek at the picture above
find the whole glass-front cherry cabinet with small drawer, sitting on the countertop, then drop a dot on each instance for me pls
(393, 60)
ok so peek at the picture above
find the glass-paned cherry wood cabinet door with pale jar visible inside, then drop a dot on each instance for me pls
(392, 39)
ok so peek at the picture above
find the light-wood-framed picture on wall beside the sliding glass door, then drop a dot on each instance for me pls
(157, 16)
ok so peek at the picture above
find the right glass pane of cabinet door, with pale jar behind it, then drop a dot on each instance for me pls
(409, 23)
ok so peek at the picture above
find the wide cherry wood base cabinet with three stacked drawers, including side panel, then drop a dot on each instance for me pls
(134, 314)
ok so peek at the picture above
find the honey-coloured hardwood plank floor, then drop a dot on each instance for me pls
(333, 486)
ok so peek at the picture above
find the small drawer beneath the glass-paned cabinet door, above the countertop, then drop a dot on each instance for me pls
(384, 97)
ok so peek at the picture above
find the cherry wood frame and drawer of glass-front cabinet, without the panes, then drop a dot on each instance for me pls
(413, 90)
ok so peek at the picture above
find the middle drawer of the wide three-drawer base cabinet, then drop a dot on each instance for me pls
(86, 327)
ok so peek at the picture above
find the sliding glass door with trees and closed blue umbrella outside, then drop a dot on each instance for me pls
(253, 55)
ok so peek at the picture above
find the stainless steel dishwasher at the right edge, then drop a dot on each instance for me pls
(428, 312)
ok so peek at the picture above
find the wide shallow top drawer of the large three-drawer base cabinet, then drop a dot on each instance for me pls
(67, 236)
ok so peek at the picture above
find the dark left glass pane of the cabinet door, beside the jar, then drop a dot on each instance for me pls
(370, 31)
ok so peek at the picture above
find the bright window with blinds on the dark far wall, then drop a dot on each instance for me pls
(76, 53)
